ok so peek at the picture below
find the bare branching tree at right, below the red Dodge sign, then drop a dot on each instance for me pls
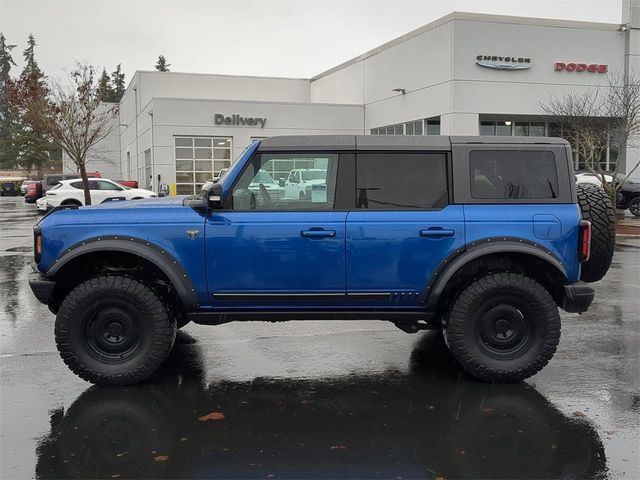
(598, 118)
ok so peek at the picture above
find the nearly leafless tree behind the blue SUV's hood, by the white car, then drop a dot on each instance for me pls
(74, 115)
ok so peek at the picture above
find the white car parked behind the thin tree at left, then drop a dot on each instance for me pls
(70, 192)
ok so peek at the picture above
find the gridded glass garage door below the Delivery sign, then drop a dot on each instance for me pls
(198, 160)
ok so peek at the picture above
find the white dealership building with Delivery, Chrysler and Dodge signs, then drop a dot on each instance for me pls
(464, 74)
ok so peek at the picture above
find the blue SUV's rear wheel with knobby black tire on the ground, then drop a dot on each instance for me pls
(503, 327)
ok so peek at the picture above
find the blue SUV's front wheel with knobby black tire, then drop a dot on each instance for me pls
(113, 330)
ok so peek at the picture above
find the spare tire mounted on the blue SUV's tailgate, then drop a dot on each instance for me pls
(596, 207)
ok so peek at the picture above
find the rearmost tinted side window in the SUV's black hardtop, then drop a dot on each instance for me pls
(513, 174)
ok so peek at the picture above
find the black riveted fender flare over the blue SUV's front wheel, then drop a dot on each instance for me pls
(142, 248)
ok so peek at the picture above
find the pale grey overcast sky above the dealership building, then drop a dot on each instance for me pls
(290, 38)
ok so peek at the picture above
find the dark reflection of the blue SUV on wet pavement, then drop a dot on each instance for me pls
(423, 423)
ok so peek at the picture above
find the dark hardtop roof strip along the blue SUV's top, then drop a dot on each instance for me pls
(393, 142)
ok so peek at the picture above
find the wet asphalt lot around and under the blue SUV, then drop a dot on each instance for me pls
(318, 399)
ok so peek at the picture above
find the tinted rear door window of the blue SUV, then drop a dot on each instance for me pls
(401, 181)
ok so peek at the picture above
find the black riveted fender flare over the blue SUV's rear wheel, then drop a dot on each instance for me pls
(479, 248)
